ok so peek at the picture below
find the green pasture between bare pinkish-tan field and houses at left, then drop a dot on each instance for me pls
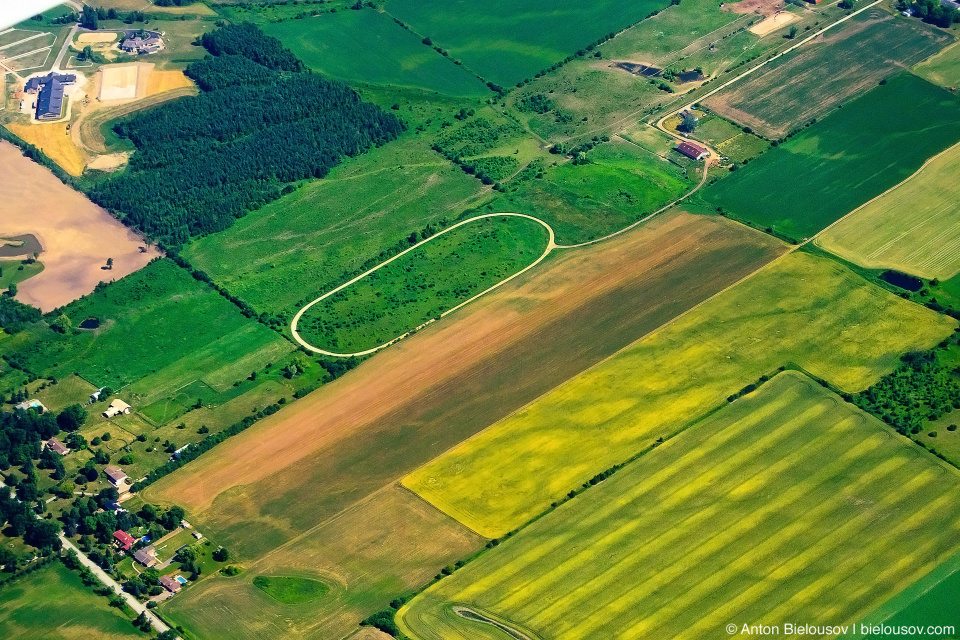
(159, 330)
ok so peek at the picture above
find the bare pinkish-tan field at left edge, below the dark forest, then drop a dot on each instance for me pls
(77, 236)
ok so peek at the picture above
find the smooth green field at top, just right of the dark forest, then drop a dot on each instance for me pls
(367, 46)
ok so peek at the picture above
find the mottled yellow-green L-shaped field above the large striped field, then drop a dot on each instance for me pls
(801, 309)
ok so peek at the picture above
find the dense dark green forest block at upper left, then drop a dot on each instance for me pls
(260, 124)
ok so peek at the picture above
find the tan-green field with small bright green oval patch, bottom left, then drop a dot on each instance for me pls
(387, 544)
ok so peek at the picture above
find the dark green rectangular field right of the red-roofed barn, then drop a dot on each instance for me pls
(848, 156)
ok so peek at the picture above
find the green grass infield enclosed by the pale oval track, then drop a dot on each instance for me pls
(422, 284)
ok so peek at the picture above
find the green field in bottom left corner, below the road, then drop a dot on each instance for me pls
(53, 604)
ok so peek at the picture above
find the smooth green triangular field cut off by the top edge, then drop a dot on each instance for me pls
(505, 42)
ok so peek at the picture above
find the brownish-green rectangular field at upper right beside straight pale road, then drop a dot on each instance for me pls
(851, 59)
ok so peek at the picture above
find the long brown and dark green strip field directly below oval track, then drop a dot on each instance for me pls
(413, 401)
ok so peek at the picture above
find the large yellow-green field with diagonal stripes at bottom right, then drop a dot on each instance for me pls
(769, 511)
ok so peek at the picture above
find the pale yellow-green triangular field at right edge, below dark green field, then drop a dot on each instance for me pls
(913, 228)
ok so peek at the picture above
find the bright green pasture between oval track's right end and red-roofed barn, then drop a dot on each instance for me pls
(621, 184)
